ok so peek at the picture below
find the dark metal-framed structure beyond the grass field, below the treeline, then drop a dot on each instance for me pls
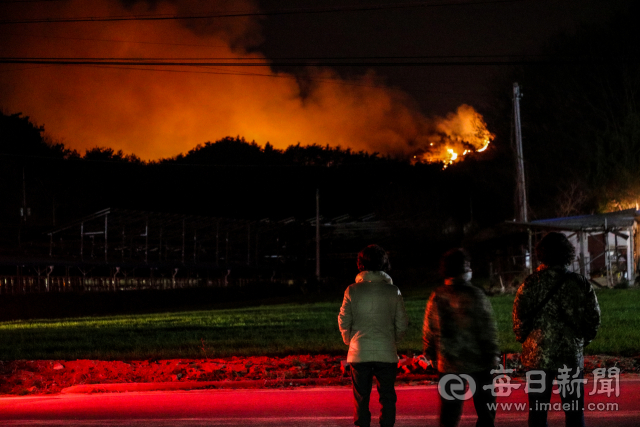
(120, 236)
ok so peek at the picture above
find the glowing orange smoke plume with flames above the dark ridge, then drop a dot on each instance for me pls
(161, 111)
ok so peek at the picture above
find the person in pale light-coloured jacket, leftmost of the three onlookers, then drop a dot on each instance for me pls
(372, 321)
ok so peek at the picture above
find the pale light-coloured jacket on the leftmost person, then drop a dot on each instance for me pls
(372, 318)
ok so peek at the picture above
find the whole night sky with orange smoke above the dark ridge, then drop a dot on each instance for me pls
(160, 110)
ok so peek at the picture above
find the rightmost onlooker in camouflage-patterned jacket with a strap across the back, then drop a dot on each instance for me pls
(555, 315)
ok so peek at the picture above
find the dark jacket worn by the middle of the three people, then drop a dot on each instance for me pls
(459, 329)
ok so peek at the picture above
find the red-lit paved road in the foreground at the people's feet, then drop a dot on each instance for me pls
(417, 406)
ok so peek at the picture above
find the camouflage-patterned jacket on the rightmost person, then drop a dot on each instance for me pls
(557, 334)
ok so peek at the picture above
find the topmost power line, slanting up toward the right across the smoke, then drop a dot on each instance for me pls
(256, 14)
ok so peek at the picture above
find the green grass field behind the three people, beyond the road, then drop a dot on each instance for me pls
(271, 330)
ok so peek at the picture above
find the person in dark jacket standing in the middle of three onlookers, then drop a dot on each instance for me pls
(460, 333)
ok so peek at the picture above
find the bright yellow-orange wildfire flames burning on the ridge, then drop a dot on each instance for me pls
(454, 137)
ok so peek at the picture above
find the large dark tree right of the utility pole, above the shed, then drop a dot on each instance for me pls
(581, 119)
